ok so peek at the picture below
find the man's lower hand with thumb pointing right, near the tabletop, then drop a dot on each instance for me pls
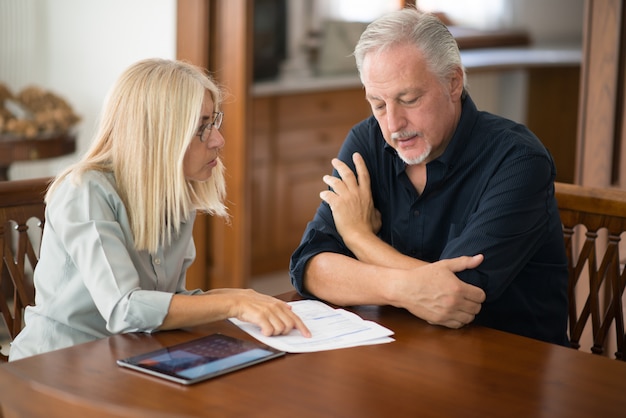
(438, 295)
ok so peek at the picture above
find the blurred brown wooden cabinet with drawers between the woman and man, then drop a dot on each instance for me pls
(295, 135)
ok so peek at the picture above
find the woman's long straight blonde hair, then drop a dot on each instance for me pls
(150, 117)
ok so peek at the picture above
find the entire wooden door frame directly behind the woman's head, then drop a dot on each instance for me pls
(216, 34)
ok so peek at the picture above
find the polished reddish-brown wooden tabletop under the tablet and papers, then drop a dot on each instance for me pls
(427, 371)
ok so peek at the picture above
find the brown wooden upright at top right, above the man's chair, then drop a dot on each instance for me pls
(602, 102)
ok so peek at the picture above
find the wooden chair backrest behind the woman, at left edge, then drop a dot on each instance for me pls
(21, 225)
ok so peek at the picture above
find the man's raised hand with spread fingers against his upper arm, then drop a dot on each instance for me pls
(351, 200)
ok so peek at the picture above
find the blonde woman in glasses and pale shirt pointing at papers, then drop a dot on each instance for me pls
(118, 235)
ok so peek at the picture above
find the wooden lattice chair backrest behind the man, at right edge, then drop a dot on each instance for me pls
(593, 220)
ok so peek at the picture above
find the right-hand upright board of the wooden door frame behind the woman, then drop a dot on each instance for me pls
(231, 63)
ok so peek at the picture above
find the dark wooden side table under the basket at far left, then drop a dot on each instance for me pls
(14, 149)
